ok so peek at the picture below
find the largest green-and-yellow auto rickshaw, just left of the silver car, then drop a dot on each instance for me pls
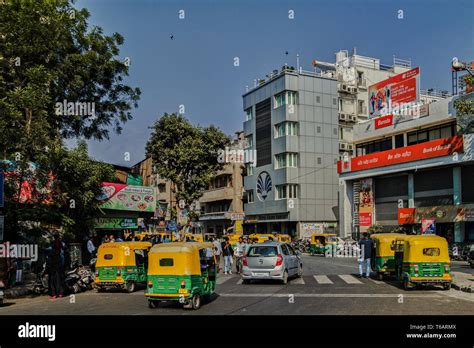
(182, 272)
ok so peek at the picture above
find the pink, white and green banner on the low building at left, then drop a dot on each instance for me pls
(127, 197)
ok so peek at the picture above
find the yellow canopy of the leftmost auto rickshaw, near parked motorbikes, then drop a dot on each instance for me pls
(119, 253)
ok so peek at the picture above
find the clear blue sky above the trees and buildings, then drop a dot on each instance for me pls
(197, 69)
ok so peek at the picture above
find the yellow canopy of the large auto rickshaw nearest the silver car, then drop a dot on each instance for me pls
(177, 258)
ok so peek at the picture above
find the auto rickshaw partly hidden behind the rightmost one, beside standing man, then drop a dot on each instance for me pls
(383, 255)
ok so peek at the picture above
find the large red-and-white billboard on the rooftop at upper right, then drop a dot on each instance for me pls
(395, 91)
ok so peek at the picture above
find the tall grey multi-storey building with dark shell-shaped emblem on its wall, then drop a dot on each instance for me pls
(292, 128)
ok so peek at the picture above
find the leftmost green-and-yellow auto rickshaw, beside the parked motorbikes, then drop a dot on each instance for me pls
(121, 265)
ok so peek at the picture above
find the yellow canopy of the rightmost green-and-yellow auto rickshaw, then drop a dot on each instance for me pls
(423, 248)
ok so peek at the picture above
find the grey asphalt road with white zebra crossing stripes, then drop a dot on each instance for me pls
(328, 286)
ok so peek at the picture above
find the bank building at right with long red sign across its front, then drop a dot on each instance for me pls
(413, 172)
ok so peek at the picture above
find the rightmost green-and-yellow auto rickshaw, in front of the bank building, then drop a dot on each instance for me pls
(422, 260)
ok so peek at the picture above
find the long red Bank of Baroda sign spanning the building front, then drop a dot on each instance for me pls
(429, 149)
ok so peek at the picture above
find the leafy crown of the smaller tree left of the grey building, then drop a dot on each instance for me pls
(186, 155)
